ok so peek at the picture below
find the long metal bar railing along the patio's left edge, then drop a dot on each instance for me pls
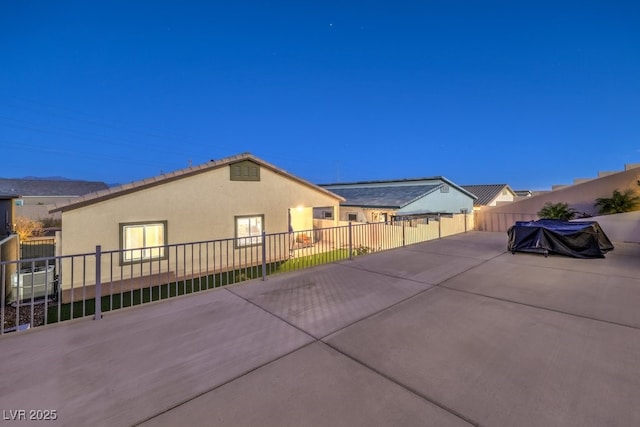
(53, 289)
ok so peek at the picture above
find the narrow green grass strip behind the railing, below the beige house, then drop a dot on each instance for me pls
(155, 293)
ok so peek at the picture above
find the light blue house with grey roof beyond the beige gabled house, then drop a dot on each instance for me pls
(381, 201)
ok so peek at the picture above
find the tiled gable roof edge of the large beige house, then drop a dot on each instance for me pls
(121, 190)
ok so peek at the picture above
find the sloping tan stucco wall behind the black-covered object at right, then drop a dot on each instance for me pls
(580, 197)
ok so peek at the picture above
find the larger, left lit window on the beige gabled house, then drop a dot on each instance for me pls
(143, 241)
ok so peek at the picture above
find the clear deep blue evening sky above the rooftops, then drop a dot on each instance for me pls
(519, 92)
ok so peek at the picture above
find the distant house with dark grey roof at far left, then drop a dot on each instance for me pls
(36, 195)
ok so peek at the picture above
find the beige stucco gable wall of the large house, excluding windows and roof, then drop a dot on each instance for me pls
(197, 208)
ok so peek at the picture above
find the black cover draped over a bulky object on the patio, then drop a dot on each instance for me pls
(580, 239)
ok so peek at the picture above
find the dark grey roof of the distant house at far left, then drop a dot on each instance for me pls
(49, 187)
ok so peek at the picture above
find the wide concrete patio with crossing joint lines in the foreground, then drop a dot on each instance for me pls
(450, 332)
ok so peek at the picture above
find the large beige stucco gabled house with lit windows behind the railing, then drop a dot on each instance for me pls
(236, 197)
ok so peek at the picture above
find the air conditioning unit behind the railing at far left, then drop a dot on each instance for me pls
(32, 284)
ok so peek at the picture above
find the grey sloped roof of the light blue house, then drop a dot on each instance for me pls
(384, 197)
